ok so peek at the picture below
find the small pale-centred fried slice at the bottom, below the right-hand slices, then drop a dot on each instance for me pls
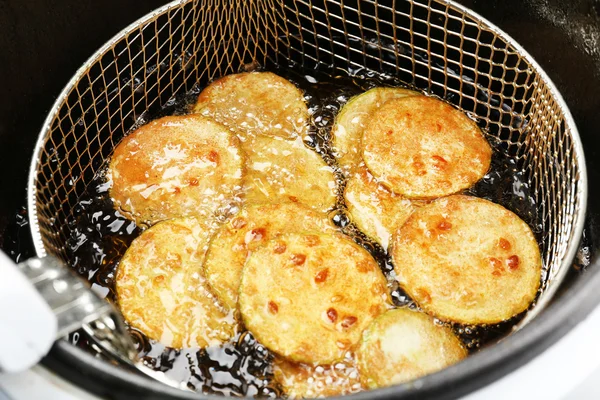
(402, 345)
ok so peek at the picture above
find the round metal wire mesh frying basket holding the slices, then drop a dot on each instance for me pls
(436, 46)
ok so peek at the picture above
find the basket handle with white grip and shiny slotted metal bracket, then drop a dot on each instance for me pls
(70, 304)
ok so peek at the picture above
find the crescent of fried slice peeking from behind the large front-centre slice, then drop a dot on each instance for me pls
(253, 226)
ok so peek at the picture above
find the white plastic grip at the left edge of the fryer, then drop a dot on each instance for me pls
(28, 326)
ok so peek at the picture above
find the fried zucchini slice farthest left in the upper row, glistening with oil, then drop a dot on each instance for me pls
(176, 167)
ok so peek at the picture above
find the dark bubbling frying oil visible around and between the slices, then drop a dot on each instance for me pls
(100, 235)
